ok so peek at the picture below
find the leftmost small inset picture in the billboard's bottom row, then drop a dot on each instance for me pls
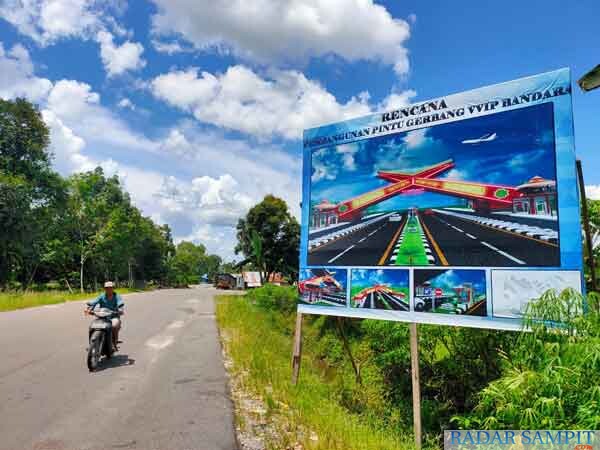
(323, 287)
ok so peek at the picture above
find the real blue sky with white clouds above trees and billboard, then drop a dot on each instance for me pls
(199, 105)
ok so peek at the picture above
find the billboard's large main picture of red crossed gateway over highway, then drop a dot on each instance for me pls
(479, 192)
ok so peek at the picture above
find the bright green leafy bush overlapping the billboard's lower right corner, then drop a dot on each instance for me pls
(551, 379)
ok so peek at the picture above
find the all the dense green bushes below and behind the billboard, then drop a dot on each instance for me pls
(546, 378)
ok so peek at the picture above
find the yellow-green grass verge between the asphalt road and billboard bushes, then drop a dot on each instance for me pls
(310, 414)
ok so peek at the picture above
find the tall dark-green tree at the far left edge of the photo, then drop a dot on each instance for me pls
(31, 193)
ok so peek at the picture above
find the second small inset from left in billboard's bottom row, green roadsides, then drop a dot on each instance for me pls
(379, 289)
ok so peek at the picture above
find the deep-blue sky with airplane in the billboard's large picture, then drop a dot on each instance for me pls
(519, 146)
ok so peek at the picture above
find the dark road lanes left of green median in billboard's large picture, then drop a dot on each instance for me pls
(362, 248)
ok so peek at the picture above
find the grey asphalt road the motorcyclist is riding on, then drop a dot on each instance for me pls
(165, 389)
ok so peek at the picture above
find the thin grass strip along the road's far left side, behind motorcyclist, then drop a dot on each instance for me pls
(10, 301)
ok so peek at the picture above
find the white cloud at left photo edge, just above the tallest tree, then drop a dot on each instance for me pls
(17, 77)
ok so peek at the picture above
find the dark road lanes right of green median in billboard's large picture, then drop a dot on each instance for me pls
(466, 243)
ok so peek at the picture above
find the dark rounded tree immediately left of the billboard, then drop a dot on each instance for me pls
(270, 228)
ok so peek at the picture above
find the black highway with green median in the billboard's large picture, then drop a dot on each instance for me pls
(439, 237)
